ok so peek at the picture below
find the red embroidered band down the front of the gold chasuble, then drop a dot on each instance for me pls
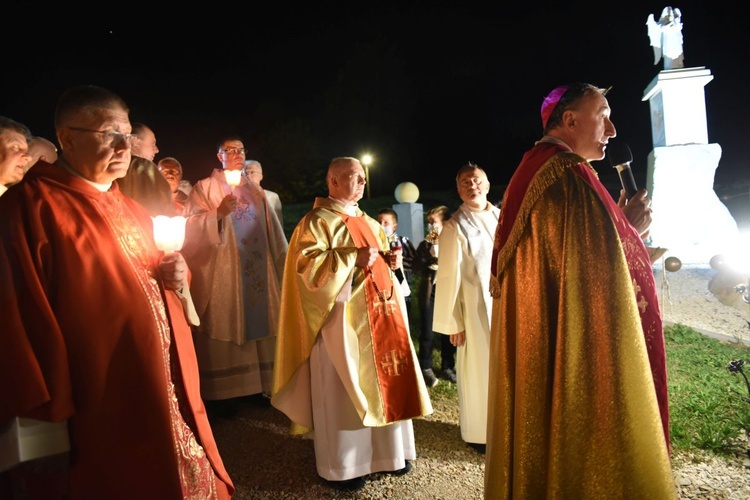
(390, 338)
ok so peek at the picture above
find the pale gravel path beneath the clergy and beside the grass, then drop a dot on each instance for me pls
(265, 462)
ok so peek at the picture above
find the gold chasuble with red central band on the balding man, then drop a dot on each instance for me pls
(359, 312)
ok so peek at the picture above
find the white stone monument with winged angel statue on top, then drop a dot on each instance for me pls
(688, 219)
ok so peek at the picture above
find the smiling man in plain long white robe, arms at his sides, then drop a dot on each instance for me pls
(463, 304)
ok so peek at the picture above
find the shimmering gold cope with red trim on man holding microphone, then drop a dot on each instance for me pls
(577, 403)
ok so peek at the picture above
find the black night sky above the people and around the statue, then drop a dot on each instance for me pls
(424, 87)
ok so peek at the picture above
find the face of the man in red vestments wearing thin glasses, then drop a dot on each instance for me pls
(97, 145)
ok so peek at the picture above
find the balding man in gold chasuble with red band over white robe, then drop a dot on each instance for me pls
(345, 366)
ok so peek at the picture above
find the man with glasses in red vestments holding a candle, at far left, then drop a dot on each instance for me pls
(94, 334)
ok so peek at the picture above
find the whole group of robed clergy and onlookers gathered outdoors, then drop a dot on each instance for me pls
(130, 348)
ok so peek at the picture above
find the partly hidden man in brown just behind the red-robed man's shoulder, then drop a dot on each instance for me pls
(143, 181)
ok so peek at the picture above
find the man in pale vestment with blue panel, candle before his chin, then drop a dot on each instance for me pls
(235, 248)
